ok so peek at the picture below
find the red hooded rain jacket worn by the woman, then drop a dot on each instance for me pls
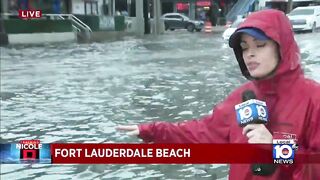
(293, 102)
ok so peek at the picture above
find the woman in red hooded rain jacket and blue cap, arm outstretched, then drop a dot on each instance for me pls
(269, 57)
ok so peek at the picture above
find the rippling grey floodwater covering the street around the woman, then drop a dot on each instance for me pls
(78, 93)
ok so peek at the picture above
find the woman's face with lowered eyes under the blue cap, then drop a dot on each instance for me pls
(260, 57)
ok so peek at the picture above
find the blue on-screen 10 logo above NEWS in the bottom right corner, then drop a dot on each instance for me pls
(283, 153)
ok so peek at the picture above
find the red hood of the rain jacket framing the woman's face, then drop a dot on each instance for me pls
(275, 25)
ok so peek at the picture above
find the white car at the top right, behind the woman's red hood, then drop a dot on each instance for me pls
(305, 18)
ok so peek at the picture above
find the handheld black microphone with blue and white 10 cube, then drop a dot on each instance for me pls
(253, 111)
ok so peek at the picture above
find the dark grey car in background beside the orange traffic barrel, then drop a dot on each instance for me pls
(174, 21)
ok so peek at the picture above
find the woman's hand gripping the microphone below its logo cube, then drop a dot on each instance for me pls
(257, 133)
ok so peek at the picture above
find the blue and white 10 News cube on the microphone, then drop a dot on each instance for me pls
(251, 111)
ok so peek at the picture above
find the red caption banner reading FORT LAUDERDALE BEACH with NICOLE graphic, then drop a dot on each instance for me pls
(145, 154)
